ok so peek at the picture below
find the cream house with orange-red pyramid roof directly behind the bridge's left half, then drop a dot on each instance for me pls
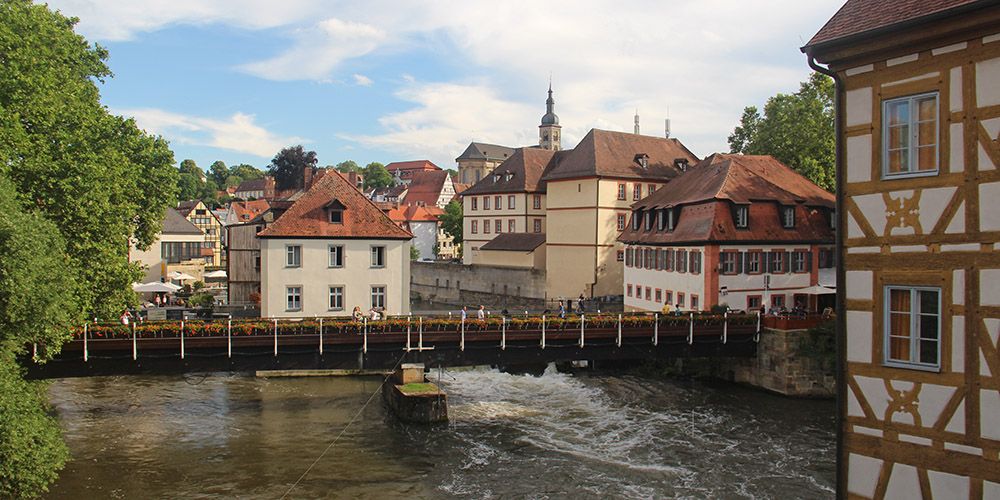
(332, 250)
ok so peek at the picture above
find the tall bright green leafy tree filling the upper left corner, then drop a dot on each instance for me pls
(100, 179)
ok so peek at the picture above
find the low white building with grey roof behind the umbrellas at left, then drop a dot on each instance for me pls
(178, 247)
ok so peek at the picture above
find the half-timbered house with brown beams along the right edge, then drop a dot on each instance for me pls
(919, 161)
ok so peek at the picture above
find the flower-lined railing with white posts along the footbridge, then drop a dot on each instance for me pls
(400, 325)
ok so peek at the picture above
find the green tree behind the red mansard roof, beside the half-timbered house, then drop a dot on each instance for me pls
(797, 129)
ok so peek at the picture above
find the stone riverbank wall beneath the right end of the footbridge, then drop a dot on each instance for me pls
(794, 363)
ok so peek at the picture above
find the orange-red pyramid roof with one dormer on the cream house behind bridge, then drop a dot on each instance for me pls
(307, 217)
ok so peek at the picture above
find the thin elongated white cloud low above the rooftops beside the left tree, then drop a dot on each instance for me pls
(237, 133)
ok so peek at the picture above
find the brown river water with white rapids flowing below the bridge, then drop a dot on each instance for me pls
(510, 436)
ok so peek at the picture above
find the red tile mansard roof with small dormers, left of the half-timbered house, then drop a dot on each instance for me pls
(707, 193)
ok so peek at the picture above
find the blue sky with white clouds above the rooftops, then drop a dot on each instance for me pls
(383, 80)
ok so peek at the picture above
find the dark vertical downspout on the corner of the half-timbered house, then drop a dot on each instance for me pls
(841, 301)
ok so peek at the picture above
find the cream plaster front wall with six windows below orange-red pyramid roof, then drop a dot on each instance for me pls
(357, 276)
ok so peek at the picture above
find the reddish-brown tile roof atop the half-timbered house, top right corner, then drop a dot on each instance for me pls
(859, 17)
